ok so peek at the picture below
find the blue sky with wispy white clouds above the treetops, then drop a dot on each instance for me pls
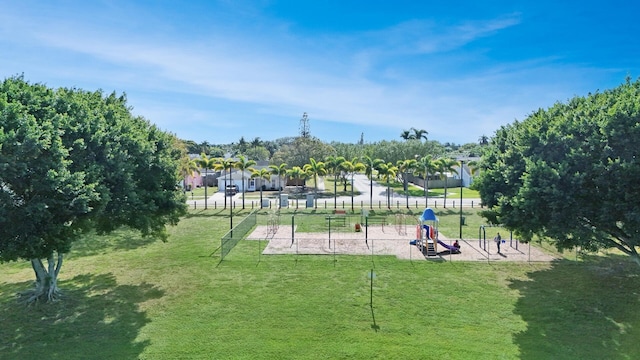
(218, 70)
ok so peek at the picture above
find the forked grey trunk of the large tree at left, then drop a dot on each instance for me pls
(46, 286)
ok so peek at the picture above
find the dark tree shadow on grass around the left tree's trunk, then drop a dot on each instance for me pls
(95, 319)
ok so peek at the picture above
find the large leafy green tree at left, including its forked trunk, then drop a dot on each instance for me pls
(72, 161)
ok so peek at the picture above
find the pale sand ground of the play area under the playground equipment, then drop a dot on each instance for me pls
(388, 240)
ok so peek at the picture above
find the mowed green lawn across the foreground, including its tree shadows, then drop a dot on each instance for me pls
(127, 297)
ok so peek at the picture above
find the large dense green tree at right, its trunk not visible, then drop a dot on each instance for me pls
(570, 173)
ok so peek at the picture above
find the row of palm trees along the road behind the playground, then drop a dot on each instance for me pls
(338, 166)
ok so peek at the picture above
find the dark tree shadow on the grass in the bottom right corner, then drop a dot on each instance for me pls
(584, 310)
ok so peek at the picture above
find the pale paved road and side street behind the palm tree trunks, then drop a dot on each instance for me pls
(362, 184)
